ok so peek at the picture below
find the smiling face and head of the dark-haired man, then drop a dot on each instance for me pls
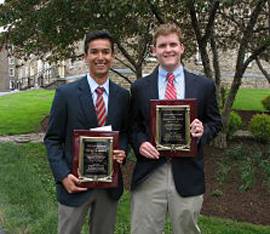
(99, 58)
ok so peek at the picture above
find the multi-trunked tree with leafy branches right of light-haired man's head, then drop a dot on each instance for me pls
(242, 26)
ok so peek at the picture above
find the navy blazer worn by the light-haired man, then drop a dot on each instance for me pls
(187, 172)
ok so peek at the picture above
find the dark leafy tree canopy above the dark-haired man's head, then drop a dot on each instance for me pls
(40, 27)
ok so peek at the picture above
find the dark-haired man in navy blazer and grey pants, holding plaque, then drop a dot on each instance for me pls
(74, 108)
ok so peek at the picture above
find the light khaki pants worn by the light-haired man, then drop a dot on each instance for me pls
(156, 197)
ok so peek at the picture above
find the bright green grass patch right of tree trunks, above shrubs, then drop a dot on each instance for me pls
(250, 99)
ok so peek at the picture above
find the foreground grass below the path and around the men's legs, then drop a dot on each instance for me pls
(28, 205)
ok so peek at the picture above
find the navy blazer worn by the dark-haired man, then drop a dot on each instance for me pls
(73, 108)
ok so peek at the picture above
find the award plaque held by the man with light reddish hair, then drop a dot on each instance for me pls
(170, 127)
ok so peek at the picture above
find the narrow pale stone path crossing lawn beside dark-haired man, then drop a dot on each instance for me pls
(23, 138)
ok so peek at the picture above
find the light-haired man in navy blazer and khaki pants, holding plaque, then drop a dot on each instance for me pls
(162, 185)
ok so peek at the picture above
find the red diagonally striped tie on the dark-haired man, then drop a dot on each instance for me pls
(100, 107)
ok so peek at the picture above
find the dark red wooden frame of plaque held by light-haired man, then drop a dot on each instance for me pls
(154, 105)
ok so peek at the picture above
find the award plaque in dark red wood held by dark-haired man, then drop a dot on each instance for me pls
(93, 160)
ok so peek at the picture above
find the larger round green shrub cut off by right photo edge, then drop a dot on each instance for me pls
(260, 127)
